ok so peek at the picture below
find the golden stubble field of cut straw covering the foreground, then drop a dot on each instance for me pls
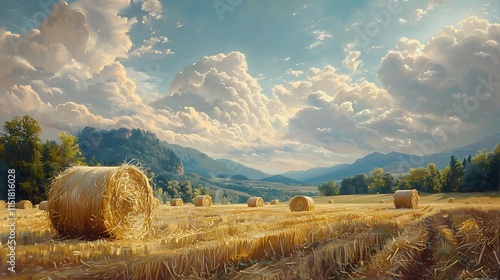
(355, 237)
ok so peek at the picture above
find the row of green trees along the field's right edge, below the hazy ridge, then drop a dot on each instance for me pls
(477, 173)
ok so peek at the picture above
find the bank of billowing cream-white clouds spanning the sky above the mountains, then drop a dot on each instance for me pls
(68, 74)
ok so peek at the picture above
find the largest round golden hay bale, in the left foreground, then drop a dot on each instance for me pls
(95, 202)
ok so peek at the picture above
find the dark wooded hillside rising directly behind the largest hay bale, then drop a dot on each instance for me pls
(116, 146)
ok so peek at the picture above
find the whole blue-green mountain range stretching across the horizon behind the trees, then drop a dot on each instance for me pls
(118, 145)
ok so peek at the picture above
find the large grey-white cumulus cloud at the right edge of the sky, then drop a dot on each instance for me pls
(452, 80)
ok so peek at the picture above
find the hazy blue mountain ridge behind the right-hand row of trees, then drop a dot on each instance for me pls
(392, 162)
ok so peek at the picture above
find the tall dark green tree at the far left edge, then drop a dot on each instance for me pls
(22, 150)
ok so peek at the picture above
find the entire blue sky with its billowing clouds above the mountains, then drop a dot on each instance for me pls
(275, 85)
